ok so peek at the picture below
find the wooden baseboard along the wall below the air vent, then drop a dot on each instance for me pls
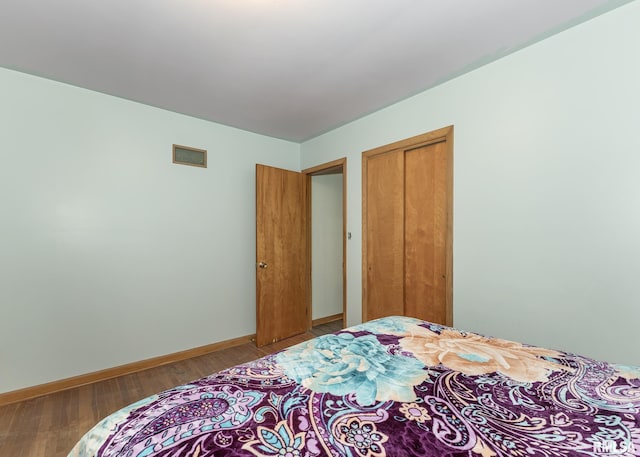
(102, 375)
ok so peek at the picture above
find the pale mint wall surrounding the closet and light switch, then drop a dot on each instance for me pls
(546, 188)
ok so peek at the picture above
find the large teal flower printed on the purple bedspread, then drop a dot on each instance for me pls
(344, 364)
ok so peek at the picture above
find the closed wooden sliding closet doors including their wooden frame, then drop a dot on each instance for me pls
(407, 229)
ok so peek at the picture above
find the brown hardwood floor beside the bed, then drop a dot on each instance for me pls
(50, 426)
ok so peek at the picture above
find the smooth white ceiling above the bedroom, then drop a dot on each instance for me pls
(291, 69)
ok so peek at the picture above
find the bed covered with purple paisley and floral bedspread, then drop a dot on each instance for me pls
(395, 386)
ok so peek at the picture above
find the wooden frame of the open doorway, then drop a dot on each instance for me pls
(333, 167)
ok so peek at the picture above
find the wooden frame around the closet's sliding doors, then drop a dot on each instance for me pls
(445, 135)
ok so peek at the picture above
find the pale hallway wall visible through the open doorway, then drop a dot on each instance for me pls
(326, 245)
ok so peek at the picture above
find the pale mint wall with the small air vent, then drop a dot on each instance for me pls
(109, 253)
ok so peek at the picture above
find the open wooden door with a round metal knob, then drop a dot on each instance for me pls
(282, 254)
